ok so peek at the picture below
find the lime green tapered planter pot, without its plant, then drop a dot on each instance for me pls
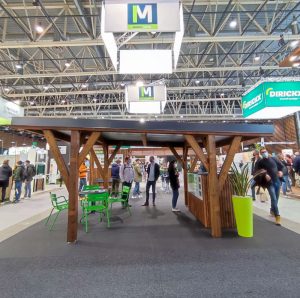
(243, 212)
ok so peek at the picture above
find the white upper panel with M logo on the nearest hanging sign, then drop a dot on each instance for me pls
(142, 16)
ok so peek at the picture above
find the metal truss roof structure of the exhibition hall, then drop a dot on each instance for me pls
(217, 63)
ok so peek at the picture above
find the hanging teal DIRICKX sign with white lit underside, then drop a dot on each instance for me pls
(270, 99)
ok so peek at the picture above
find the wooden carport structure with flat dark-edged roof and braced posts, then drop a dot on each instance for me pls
(86, 133)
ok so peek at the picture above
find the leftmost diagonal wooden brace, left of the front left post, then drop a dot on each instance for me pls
(57, 156)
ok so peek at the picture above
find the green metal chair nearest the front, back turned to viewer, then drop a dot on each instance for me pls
(95, 203)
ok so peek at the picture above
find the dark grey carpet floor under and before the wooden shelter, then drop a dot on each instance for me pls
(154, 253)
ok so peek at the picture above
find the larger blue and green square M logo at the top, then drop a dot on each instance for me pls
(142, 16)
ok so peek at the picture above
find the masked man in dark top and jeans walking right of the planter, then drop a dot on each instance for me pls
(274, 172)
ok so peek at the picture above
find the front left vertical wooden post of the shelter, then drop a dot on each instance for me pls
(73, 189)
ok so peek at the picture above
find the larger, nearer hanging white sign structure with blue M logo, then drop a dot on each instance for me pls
(128, 17)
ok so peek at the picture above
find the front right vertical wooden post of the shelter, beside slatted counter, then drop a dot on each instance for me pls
(213, 189)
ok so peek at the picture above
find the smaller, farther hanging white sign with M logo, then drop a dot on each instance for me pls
(149, 99)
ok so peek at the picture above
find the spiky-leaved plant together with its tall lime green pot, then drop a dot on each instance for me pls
(242, 203)
